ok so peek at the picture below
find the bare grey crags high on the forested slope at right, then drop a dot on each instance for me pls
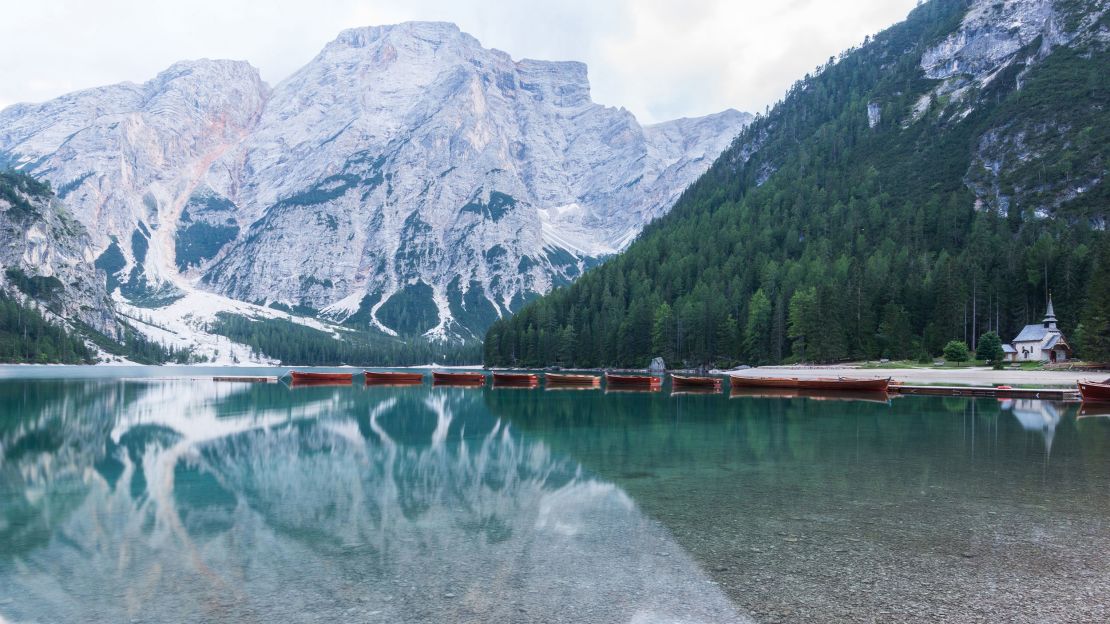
(992, 54)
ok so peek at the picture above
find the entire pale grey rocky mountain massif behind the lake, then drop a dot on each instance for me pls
(407, 178)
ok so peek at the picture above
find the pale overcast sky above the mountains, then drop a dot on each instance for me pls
(661, 59)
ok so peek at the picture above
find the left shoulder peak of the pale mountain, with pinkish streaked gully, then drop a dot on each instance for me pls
(126, 158)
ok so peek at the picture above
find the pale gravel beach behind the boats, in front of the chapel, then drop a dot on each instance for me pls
(970, 376)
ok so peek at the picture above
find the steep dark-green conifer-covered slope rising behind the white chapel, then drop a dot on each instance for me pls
(874, 213)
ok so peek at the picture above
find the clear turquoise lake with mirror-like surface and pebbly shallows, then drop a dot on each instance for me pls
(143, 496)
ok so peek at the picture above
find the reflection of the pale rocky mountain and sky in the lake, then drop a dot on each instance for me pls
(191, 501)
